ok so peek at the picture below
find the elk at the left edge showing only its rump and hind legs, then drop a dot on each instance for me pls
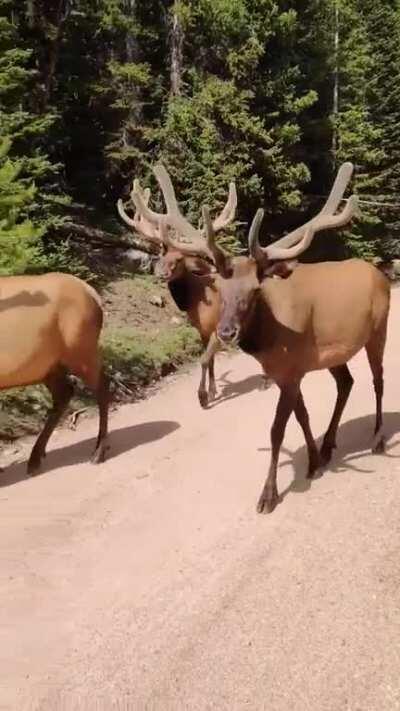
(50, 325)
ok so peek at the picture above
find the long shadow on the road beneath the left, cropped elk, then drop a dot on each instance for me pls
(121, 441)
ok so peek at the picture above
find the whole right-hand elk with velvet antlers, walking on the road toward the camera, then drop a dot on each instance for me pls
(317, 316)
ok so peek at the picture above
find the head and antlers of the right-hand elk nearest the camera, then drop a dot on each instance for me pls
(241, 277)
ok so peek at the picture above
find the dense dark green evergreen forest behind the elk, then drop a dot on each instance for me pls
(273, 94)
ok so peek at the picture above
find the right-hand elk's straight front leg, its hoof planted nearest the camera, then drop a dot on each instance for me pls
(287, 403)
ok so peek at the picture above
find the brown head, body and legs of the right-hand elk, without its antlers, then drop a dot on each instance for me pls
(319, 317)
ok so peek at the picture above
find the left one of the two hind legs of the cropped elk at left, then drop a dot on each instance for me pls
(61, 390)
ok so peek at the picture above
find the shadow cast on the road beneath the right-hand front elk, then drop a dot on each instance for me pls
(353, 443)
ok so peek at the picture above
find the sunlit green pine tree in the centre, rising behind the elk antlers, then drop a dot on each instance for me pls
(236, 114)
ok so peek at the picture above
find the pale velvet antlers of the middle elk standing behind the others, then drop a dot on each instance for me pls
(173, 218)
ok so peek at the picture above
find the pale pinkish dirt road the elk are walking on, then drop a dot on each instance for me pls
(151, 583)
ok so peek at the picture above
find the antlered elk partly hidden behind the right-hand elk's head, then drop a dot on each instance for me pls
(186, 267)
